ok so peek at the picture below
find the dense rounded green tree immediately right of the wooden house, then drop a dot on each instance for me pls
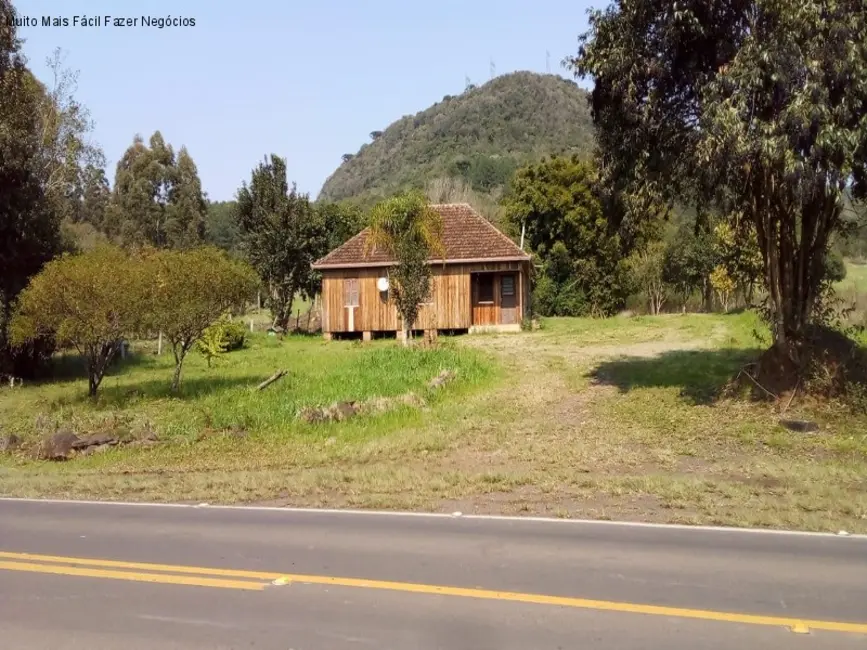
(555, 205)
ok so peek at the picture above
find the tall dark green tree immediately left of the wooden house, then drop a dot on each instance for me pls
(282, 236)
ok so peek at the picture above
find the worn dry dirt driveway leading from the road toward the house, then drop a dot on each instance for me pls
(536, 446)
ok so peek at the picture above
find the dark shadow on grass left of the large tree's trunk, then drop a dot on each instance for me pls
(700, 374)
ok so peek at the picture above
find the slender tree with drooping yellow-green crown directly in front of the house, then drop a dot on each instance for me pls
(410, 231)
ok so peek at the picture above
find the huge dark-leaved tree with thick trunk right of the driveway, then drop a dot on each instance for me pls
(755, 105)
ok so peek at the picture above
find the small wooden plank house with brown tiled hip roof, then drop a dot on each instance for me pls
(482, 284)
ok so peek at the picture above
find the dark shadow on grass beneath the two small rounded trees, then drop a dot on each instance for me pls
(191, 389)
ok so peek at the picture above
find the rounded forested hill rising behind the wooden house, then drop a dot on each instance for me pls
(481, 135)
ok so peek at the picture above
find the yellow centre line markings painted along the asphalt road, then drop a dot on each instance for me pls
(31, 562)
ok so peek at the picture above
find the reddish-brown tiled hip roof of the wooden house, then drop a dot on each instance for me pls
(467, 237)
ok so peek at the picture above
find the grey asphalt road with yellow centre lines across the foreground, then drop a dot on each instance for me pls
(104, 576)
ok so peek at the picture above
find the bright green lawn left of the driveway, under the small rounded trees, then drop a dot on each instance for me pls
(222, 399)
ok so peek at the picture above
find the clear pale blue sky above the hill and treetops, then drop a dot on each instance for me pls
(306, 80)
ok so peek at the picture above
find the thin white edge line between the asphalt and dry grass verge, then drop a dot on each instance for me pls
(439, 515)
